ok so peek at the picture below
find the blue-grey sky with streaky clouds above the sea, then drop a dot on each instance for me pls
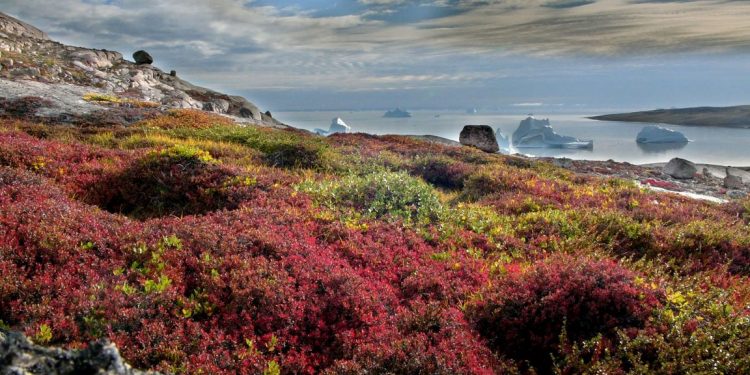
(581, 56)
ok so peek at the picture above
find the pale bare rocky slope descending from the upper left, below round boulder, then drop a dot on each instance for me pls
(26, 54)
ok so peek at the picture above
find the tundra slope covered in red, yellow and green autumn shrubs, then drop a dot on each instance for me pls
(202, 245)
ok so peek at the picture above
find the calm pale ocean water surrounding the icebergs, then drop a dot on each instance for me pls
(612, 140)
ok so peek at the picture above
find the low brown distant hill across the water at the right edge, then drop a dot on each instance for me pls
(734, 117)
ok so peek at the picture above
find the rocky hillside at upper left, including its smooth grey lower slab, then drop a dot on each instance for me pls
(117, 91)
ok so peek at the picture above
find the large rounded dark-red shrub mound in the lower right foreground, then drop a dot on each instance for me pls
(523, 314)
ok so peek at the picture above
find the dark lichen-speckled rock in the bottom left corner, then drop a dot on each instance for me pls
(18, 355)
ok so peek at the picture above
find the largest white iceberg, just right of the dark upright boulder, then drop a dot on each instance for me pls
(533, 133)
